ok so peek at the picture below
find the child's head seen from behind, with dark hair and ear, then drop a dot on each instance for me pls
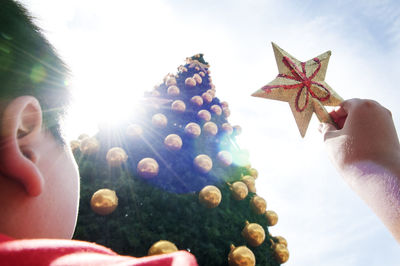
(38, 177)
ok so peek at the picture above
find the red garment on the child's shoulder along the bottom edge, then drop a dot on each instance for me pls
(71, 252)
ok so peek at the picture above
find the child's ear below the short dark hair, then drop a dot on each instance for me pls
(20, 130)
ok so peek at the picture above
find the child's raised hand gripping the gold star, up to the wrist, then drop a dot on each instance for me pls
(366, 133)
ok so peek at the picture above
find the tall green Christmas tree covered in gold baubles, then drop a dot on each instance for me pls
(173, 177)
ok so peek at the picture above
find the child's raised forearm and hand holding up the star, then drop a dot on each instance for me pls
(366, 151)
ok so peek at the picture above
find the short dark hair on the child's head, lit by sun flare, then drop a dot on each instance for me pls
(30, 66)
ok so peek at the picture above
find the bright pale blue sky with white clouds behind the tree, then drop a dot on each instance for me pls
(118, 49)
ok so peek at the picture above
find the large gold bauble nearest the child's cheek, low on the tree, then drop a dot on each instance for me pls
(104, 201)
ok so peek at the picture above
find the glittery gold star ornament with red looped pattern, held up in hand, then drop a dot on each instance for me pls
(302, 85)
